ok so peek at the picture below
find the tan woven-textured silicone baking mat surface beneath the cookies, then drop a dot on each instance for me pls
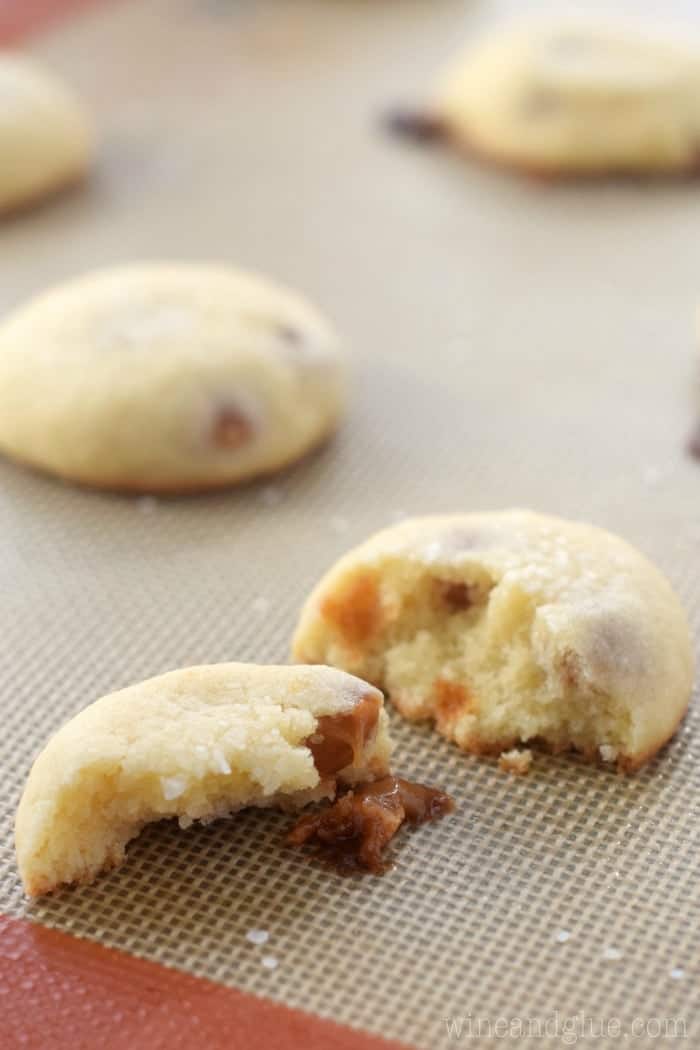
(514, 344)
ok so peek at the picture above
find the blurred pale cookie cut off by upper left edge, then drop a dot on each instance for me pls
(46, 136)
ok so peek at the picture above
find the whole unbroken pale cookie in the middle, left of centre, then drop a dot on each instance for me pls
(167, 379)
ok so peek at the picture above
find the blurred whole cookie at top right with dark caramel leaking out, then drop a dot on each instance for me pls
(578, 96)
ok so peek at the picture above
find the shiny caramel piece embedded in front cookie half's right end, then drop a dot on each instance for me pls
(341, 740)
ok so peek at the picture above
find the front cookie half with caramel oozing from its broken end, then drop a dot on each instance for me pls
(198, 745)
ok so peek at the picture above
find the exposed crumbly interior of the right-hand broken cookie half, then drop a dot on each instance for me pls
(459, 648)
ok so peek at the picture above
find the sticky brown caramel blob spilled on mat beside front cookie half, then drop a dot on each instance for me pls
(353, 834)
